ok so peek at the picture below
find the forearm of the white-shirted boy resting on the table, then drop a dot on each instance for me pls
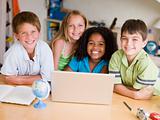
(19, 80)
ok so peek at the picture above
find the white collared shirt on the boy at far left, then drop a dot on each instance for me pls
(17, 61)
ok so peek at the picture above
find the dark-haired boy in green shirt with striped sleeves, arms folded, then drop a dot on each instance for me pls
(135, 72)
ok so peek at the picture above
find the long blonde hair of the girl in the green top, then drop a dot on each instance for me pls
(62, 33)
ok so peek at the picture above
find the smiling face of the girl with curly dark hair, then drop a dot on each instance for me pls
(96, 47)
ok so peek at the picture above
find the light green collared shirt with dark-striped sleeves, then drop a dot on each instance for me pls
(141, 72)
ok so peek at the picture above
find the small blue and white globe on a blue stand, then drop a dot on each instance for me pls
(41, 90)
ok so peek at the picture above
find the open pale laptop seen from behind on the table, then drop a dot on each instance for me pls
(77, 87)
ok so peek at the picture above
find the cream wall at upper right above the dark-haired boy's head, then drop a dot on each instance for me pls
(107, 10)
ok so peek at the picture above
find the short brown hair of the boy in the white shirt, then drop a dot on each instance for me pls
(25, 17)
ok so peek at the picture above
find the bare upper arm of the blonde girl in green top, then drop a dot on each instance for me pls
(57, 50)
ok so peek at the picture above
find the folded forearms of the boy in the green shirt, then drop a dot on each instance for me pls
(144, 93)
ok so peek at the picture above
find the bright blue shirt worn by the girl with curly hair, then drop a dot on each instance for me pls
(83, 65)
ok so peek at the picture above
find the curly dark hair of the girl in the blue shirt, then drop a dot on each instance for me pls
(108, 36)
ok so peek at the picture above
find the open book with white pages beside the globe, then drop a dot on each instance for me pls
(16, 94)
